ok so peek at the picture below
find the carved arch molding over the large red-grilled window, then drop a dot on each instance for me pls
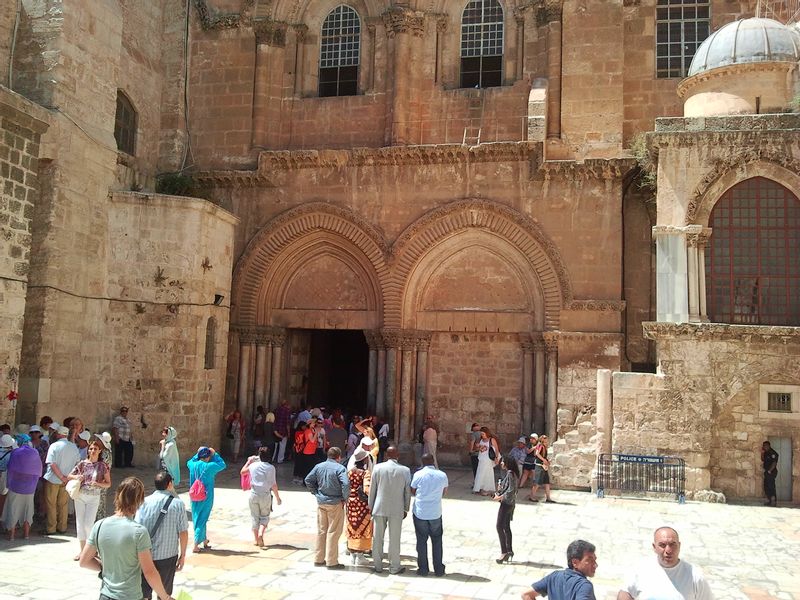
(772, 163)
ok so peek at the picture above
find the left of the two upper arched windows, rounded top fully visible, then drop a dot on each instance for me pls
(340, 52)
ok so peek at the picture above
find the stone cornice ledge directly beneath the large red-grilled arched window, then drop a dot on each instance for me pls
(721, 332)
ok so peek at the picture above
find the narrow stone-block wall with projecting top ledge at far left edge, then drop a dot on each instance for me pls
(21, 125)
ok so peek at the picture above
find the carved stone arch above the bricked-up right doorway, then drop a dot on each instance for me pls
(521, 232)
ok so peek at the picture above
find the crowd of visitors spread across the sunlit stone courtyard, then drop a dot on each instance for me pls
(349, 465)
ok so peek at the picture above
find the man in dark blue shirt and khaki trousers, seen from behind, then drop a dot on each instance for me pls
(328, 481)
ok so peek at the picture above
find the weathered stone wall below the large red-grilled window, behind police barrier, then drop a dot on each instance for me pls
(704, 405)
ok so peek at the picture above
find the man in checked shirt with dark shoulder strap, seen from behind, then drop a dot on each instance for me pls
(170, 539)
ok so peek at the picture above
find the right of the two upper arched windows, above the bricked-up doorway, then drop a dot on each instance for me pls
(482, 44)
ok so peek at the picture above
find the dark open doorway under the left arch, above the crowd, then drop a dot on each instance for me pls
(338, 369)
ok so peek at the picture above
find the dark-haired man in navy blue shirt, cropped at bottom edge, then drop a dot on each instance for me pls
(572, 582)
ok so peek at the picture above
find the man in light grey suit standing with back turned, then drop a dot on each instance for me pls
(389, 501)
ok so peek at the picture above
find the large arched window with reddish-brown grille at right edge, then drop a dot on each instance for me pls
(753, 258)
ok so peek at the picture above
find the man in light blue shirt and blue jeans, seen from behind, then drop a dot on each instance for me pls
(428, 486)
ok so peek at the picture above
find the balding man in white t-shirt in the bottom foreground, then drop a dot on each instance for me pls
(666, 577)
